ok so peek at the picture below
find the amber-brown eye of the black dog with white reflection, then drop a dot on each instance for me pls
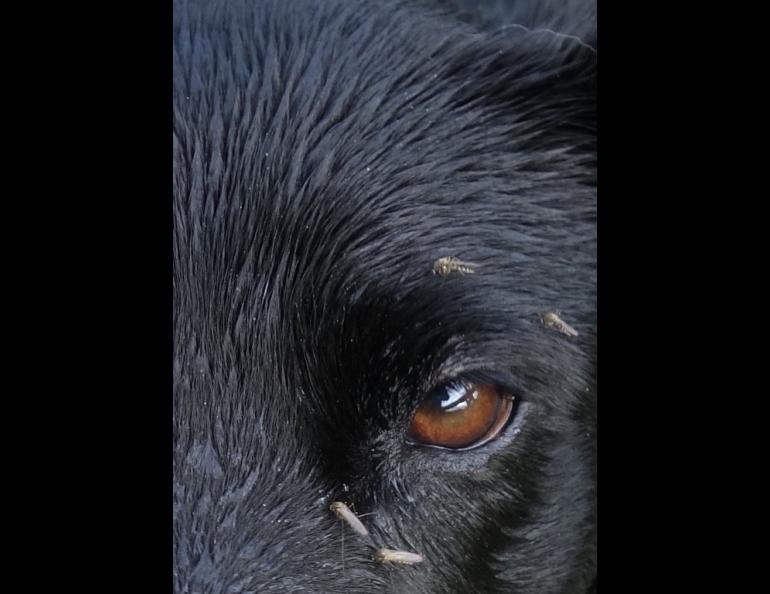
(461, 415)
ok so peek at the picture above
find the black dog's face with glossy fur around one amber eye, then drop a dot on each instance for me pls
(325, 157)
